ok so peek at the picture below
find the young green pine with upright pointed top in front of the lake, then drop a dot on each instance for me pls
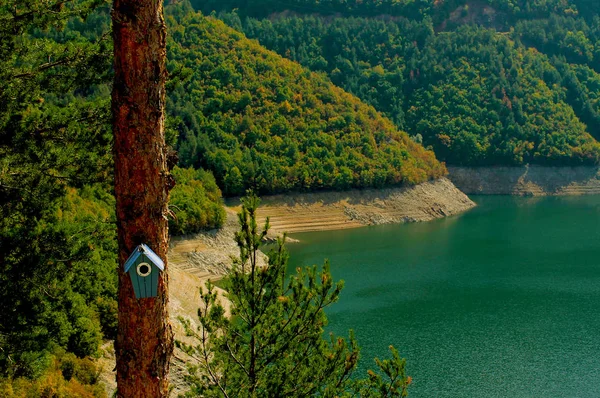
(272, 344)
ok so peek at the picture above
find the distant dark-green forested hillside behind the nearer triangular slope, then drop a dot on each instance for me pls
(483, 83)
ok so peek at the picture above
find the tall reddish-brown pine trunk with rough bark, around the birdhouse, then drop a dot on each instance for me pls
(145, 341)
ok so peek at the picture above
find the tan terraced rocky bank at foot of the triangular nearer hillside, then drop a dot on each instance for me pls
(323, 211)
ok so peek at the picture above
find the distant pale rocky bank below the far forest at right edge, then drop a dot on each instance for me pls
(527, 180)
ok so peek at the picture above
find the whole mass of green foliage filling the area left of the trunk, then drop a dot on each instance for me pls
(57, 252)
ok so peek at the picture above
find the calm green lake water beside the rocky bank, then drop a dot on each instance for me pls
(502, 301)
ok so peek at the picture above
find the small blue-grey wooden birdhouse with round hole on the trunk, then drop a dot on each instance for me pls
(143, 267)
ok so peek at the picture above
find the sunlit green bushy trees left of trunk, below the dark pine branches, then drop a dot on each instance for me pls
(69, 301)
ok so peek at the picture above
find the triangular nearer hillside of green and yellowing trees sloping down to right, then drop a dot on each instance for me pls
(260, 121)
